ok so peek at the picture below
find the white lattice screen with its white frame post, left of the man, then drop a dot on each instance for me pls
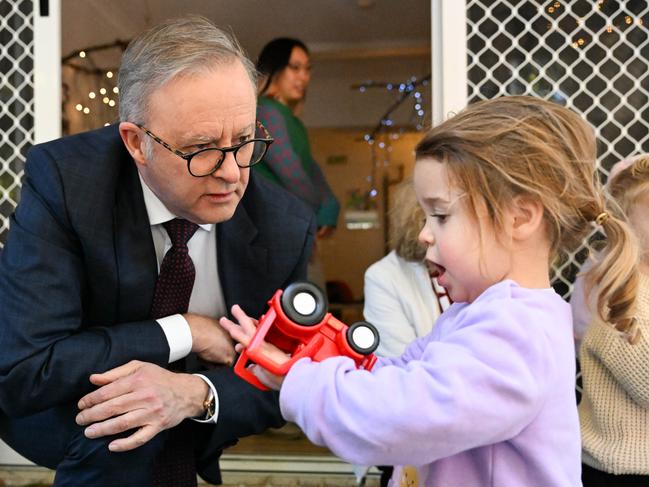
(30, 90)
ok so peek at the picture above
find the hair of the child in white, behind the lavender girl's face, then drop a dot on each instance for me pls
(406, 221)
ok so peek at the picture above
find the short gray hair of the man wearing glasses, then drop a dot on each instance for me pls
(187, 45)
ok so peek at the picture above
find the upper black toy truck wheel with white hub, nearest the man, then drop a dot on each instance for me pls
(304, 303)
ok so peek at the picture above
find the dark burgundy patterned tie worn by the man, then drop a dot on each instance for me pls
(175, 465)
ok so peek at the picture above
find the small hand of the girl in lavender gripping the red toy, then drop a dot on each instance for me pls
(242, 334)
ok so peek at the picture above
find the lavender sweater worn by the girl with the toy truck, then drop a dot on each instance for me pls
(486, 399)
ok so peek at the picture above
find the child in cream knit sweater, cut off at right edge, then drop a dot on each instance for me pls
(614, 410)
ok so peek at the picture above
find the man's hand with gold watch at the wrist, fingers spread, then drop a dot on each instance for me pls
(142, 396)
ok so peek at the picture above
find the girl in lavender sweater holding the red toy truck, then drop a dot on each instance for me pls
(487, 398)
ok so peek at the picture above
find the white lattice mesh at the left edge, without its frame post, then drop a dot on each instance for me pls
(16, 101)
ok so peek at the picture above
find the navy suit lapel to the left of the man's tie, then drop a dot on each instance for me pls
(134, 250)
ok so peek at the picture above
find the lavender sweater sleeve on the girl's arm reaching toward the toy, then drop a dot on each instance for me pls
(483, 384)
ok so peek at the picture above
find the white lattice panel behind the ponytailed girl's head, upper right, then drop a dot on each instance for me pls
(591, 56)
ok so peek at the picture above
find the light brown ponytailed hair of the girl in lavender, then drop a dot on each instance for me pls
(523, 146)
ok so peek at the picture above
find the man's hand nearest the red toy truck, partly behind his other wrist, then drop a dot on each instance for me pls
(209, 341)
